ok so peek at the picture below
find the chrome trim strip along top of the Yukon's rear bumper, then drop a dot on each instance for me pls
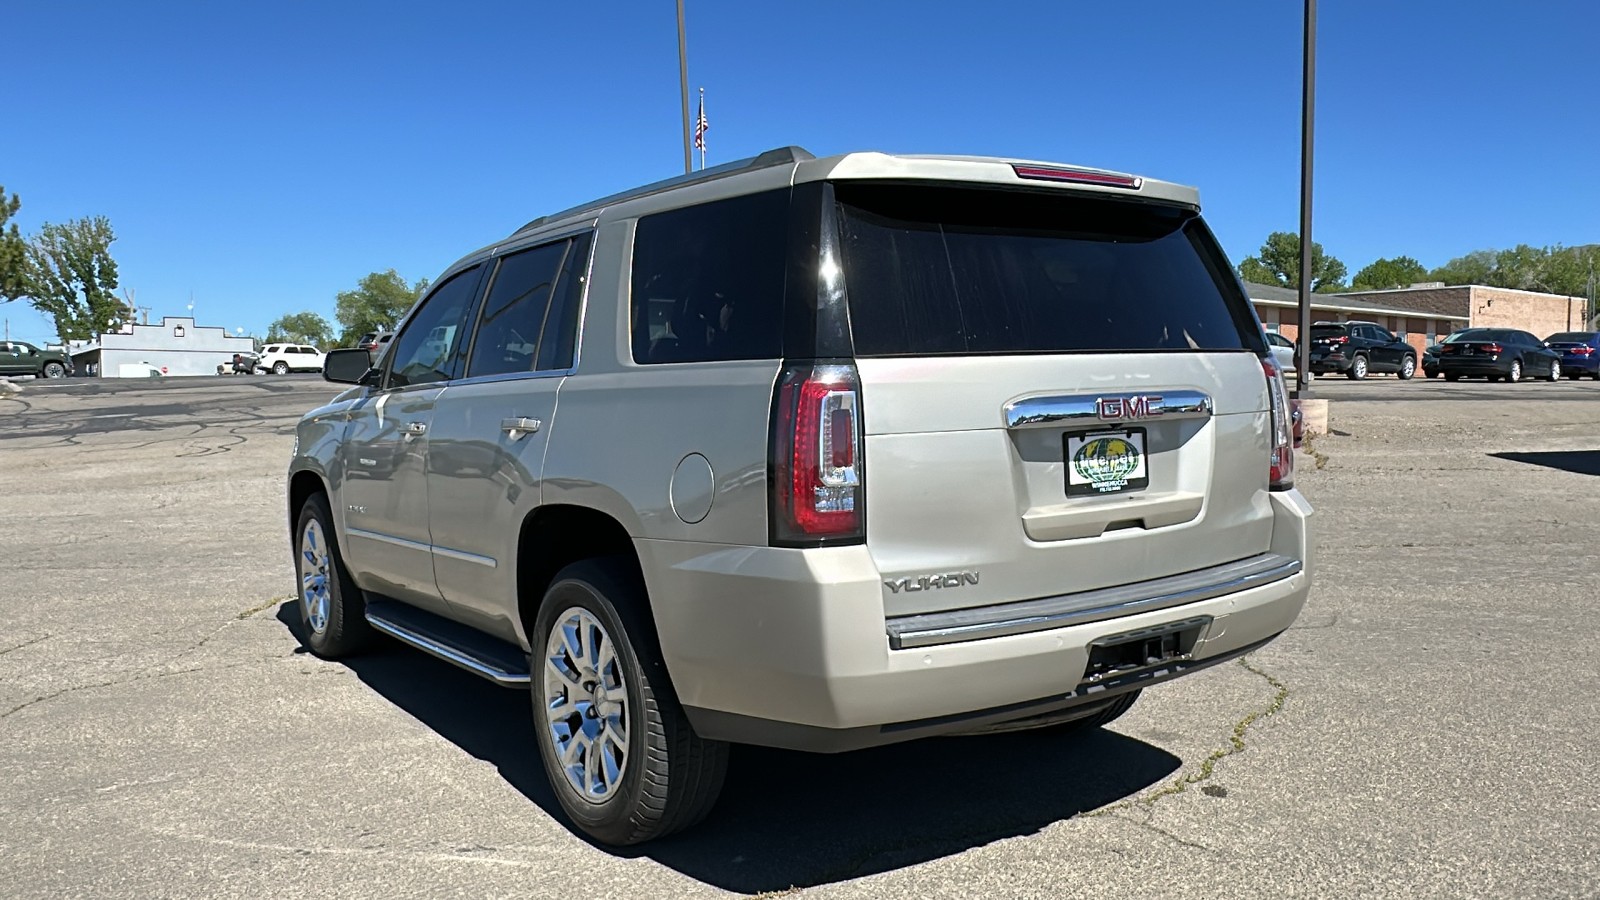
(1089, 606)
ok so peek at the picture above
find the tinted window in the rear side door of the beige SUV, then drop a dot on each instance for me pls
(514, 311)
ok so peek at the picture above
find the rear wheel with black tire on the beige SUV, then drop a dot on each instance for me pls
(668, 777)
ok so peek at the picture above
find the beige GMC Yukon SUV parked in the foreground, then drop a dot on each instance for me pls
(817, 454)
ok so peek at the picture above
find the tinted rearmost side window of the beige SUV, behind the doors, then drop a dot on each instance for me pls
(710, 281)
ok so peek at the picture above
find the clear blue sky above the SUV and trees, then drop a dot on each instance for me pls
(266, 156)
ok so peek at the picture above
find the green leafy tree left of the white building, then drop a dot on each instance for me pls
(71, 278)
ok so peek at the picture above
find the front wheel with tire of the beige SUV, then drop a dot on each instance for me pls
(332, 608)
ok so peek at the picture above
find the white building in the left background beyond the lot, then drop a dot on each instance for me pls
(174, 348)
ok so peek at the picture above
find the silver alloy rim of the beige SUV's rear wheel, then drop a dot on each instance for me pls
(586, 705)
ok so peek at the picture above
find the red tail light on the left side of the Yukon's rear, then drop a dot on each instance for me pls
(817, 464)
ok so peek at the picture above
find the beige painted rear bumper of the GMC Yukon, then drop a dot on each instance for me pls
(791, 648)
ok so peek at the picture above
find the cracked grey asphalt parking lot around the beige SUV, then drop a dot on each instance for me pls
(1431, 728)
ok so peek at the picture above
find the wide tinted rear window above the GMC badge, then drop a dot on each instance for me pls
(956, 271)
